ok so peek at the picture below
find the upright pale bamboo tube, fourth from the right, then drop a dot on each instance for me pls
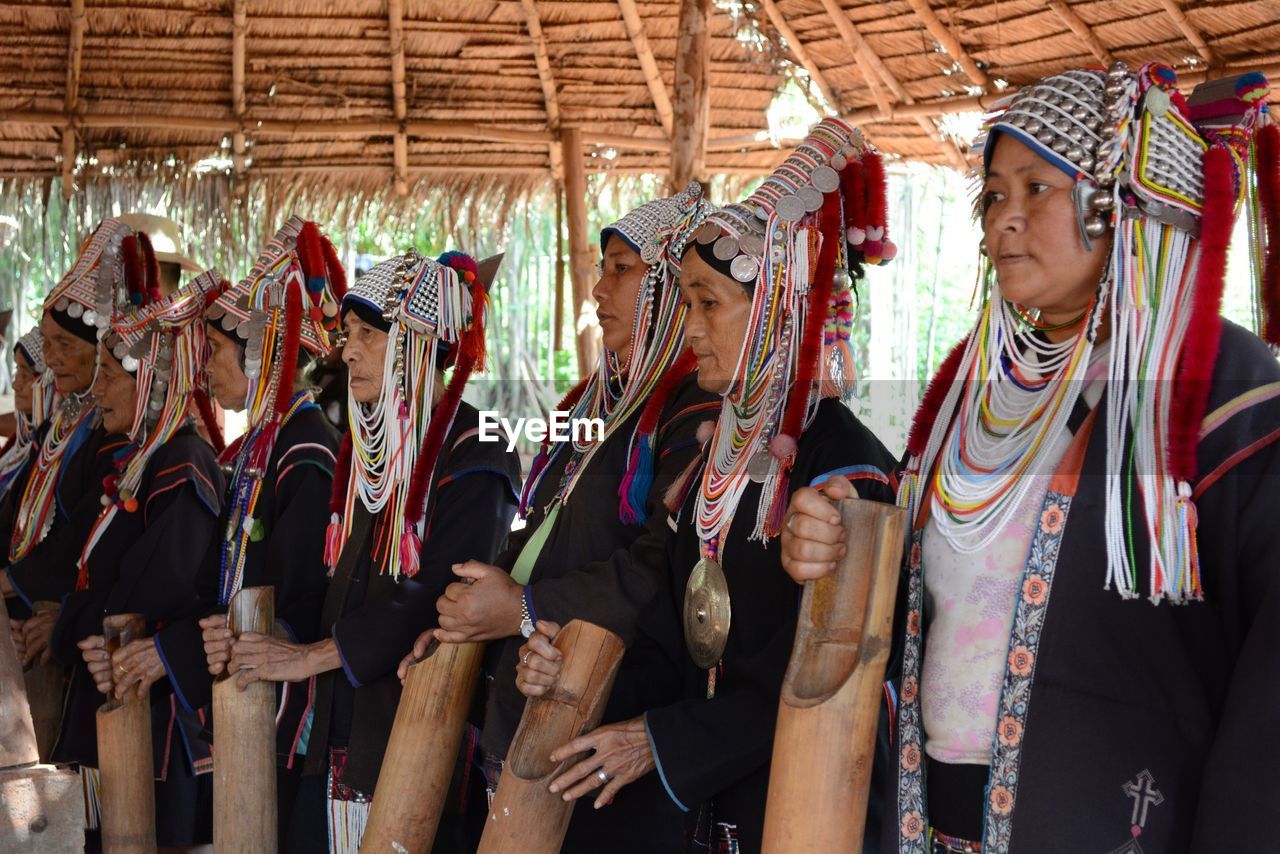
(245, 818)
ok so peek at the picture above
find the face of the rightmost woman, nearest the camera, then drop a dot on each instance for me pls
(1034, 239)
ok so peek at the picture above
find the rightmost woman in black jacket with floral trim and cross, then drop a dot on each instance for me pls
(1101, 444)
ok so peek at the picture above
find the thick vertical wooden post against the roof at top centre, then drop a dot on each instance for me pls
(693, 95)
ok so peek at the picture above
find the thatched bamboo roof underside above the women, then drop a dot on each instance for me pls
(376, 90)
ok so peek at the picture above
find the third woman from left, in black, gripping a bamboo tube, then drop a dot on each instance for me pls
(156, 526)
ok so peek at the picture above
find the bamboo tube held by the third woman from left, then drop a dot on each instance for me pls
(126, 770)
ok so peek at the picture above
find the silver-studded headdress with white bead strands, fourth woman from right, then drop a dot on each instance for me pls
(390, 453)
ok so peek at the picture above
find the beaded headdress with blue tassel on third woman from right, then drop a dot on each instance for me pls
(656, 366)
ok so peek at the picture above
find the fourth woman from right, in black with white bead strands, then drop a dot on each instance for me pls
(417, 494)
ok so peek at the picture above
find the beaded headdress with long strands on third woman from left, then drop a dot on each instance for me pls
(163, 345)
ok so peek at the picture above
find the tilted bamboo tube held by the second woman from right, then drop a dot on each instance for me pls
(525, 818)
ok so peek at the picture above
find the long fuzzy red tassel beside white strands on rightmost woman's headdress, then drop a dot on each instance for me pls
(1204, 334)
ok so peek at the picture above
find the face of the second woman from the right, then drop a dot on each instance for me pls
(719, 313)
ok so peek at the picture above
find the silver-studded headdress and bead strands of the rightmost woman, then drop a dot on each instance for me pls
(1164, 179)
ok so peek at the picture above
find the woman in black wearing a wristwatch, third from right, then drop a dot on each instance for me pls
(595, 545)
